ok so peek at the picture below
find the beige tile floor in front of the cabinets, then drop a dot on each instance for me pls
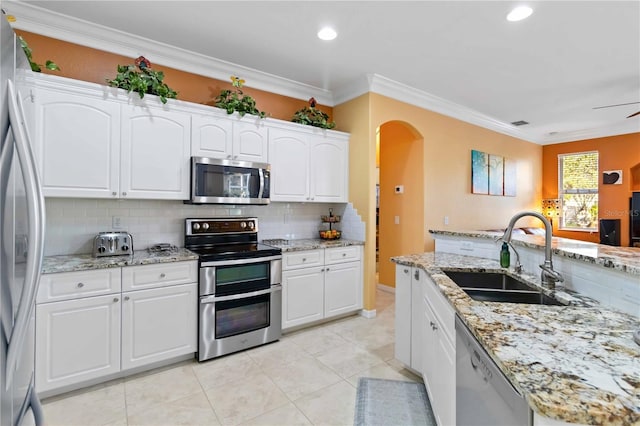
(308, 377)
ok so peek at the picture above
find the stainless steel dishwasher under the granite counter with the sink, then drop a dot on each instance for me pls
(484, 396)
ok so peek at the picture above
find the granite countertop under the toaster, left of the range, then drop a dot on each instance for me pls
(84, 262)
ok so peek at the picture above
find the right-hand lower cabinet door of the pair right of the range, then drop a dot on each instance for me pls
(342, 288)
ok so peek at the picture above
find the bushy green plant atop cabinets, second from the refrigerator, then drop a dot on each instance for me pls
(140, 78)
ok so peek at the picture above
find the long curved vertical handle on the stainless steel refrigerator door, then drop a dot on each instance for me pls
(35, 213)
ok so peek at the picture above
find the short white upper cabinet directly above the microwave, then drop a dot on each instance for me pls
(231, 138)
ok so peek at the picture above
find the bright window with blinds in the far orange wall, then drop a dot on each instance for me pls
(578, 191)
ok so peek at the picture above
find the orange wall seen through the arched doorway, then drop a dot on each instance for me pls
(401, 154)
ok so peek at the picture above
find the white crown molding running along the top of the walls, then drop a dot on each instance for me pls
(33, 19)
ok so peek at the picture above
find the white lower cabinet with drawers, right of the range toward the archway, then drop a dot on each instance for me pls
(320, 284)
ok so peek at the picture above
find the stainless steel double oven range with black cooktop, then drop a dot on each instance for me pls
(240, 302)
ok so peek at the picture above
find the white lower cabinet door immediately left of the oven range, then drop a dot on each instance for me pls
(158, 324)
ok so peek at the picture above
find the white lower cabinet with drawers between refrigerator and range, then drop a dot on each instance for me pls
(84, 338)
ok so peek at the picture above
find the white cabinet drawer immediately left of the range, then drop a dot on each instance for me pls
(159, 275)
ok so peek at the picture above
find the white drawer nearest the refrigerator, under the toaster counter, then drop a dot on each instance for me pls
(73, 285)
